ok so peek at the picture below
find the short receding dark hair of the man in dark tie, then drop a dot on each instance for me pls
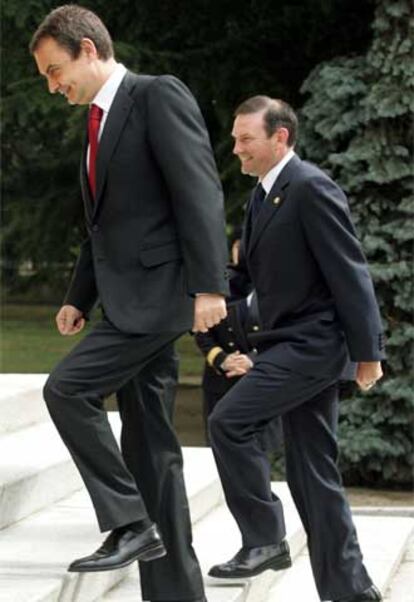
(277, 113)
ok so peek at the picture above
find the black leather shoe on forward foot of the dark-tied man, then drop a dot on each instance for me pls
(249, 562)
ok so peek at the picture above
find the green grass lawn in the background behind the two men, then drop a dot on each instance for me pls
(30, 342)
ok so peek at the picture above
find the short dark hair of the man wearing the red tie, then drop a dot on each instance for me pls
(68, 25)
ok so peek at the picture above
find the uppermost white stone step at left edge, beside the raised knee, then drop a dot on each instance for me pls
(21, 402)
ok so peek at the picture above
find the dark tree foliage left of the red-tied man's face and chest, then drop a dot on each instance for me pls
(41, 137)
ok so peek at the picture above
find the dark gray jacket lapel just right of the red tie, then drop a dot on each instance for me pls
(115, 122)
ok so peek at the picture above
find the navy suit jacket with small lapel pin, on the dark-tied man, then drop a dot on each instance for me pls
(315, 294)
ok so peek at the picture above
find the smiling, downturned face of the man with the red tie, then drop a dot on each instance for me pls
(71, 77)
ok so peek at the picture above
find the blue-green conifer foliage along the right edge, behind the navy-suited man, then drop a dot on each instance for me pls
(357, 123)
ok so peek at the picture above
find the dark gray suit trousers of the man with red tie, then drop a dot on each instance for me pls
(147, 479)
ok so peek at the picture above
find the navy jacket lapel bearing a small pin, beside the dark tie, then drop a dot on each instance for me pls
(273, 202)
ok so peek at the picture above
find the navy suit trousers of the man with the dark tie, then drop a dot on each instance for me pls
(308, 407)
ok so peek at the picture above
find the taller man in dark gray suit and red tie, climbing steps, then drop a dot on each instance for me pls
(155, 260)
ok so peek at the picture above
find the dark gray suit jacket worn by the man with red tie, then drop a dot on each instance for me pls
(156, 228)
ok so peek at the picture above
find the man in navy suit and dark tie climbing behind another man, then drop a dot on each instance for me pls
(318, 310)
